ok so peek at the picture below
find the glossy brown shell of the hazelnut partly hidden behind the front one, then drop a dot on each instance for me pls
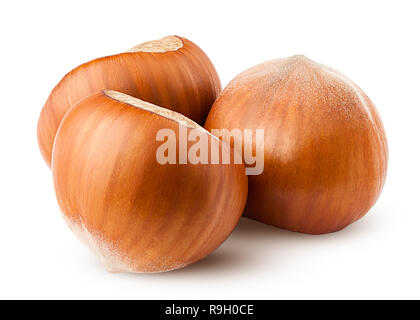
(183, 80)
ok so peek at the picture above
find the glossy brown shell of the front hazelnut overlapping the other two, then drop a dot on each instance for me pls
(136, 214)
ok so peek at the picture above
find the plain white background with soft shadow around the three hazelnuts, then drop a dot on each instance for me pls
(375, 43)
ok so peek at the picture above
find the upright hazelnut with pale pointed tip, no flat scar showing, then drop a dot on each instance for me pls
(325, 147)
